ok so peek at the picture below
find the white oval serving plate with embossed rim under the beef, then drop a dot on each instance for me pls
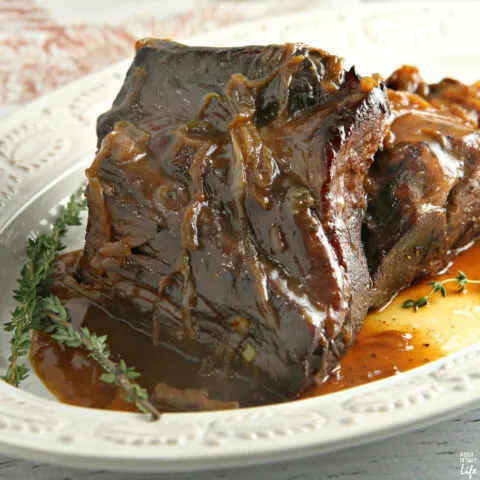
(44, 149)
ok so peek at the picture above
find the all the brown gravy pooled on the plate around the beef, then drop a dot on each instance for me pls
(392, 341)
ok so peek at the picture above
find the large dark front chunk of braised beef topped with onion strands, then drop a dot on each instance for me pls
(226, 203)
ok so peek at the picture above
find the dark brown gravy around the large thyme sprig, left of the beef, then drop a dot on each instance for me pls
(75, 378)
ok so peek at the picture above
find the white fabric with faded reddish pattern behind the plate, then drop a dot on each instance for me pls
(47, 43)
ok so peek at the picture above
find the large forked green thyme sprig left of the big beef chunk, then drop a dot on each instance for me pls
(39, 310)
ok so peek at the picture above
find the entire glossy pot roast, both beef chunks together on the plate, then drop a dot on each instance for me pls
(231, 217)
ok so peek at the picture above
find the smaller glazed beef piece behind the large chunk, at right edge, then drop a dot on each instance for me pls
(423, 187)
